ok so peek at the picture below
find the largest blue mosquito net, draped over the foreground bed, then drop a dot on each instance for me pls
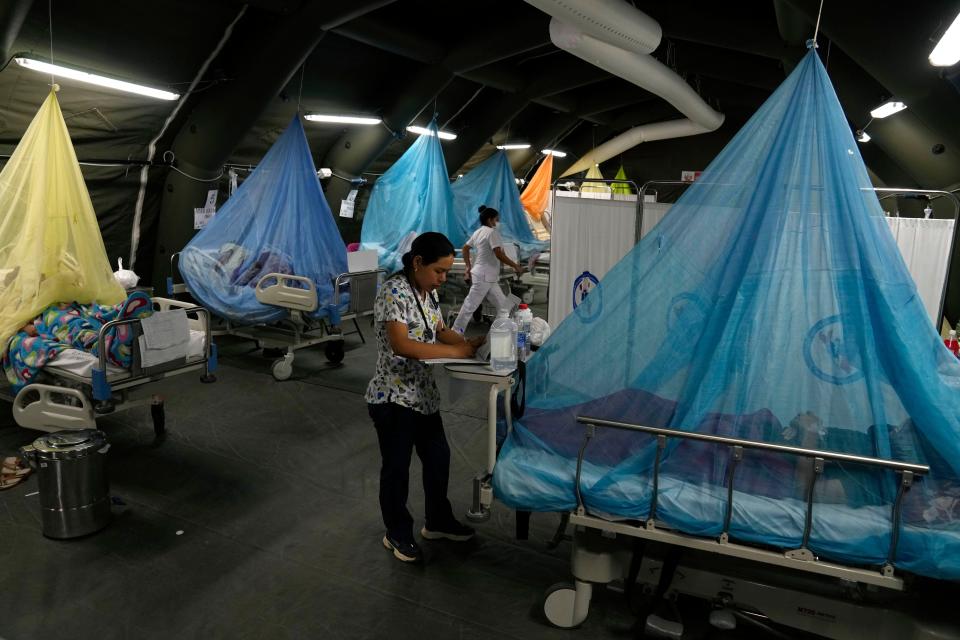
(770, 304)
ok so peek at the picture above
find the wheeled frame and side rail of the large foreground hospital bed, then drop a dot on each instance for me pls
(602, 554)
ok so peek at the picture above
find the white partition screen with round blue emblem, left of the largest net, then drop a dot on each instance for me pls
(589, 236)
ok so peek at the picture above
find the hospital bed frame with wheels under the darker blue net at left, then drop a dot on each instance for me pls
(354, 295)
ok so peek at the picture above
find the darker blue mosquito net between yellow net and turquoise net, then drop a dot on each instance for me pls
(278, 221)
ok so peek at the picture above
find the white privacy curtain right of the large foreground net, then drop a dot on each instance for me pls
(925, 246)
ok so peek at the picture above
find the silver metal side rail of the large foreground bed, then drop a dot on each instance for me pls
(908, 472)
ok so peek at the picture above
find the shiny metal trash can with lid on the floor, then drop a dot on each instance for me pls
(74, 491)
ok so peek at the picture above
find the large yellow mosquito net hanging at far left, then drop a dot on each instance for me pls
(50, 245)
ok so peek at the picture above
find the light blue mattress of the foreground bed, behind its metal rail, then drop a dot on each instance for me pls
(535, 479)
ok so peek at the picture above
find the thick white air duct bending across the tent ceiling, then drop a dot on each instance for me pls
(614, 36)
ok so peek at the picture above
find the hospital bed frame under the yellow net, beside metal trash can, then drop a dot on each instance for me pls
(78, 387)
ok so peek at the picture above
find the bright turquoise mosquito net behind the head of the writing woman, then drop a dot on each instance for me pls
(413, 196)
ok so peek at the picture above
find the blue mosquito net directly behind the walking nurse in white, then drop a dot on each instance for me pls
(492, 183)
